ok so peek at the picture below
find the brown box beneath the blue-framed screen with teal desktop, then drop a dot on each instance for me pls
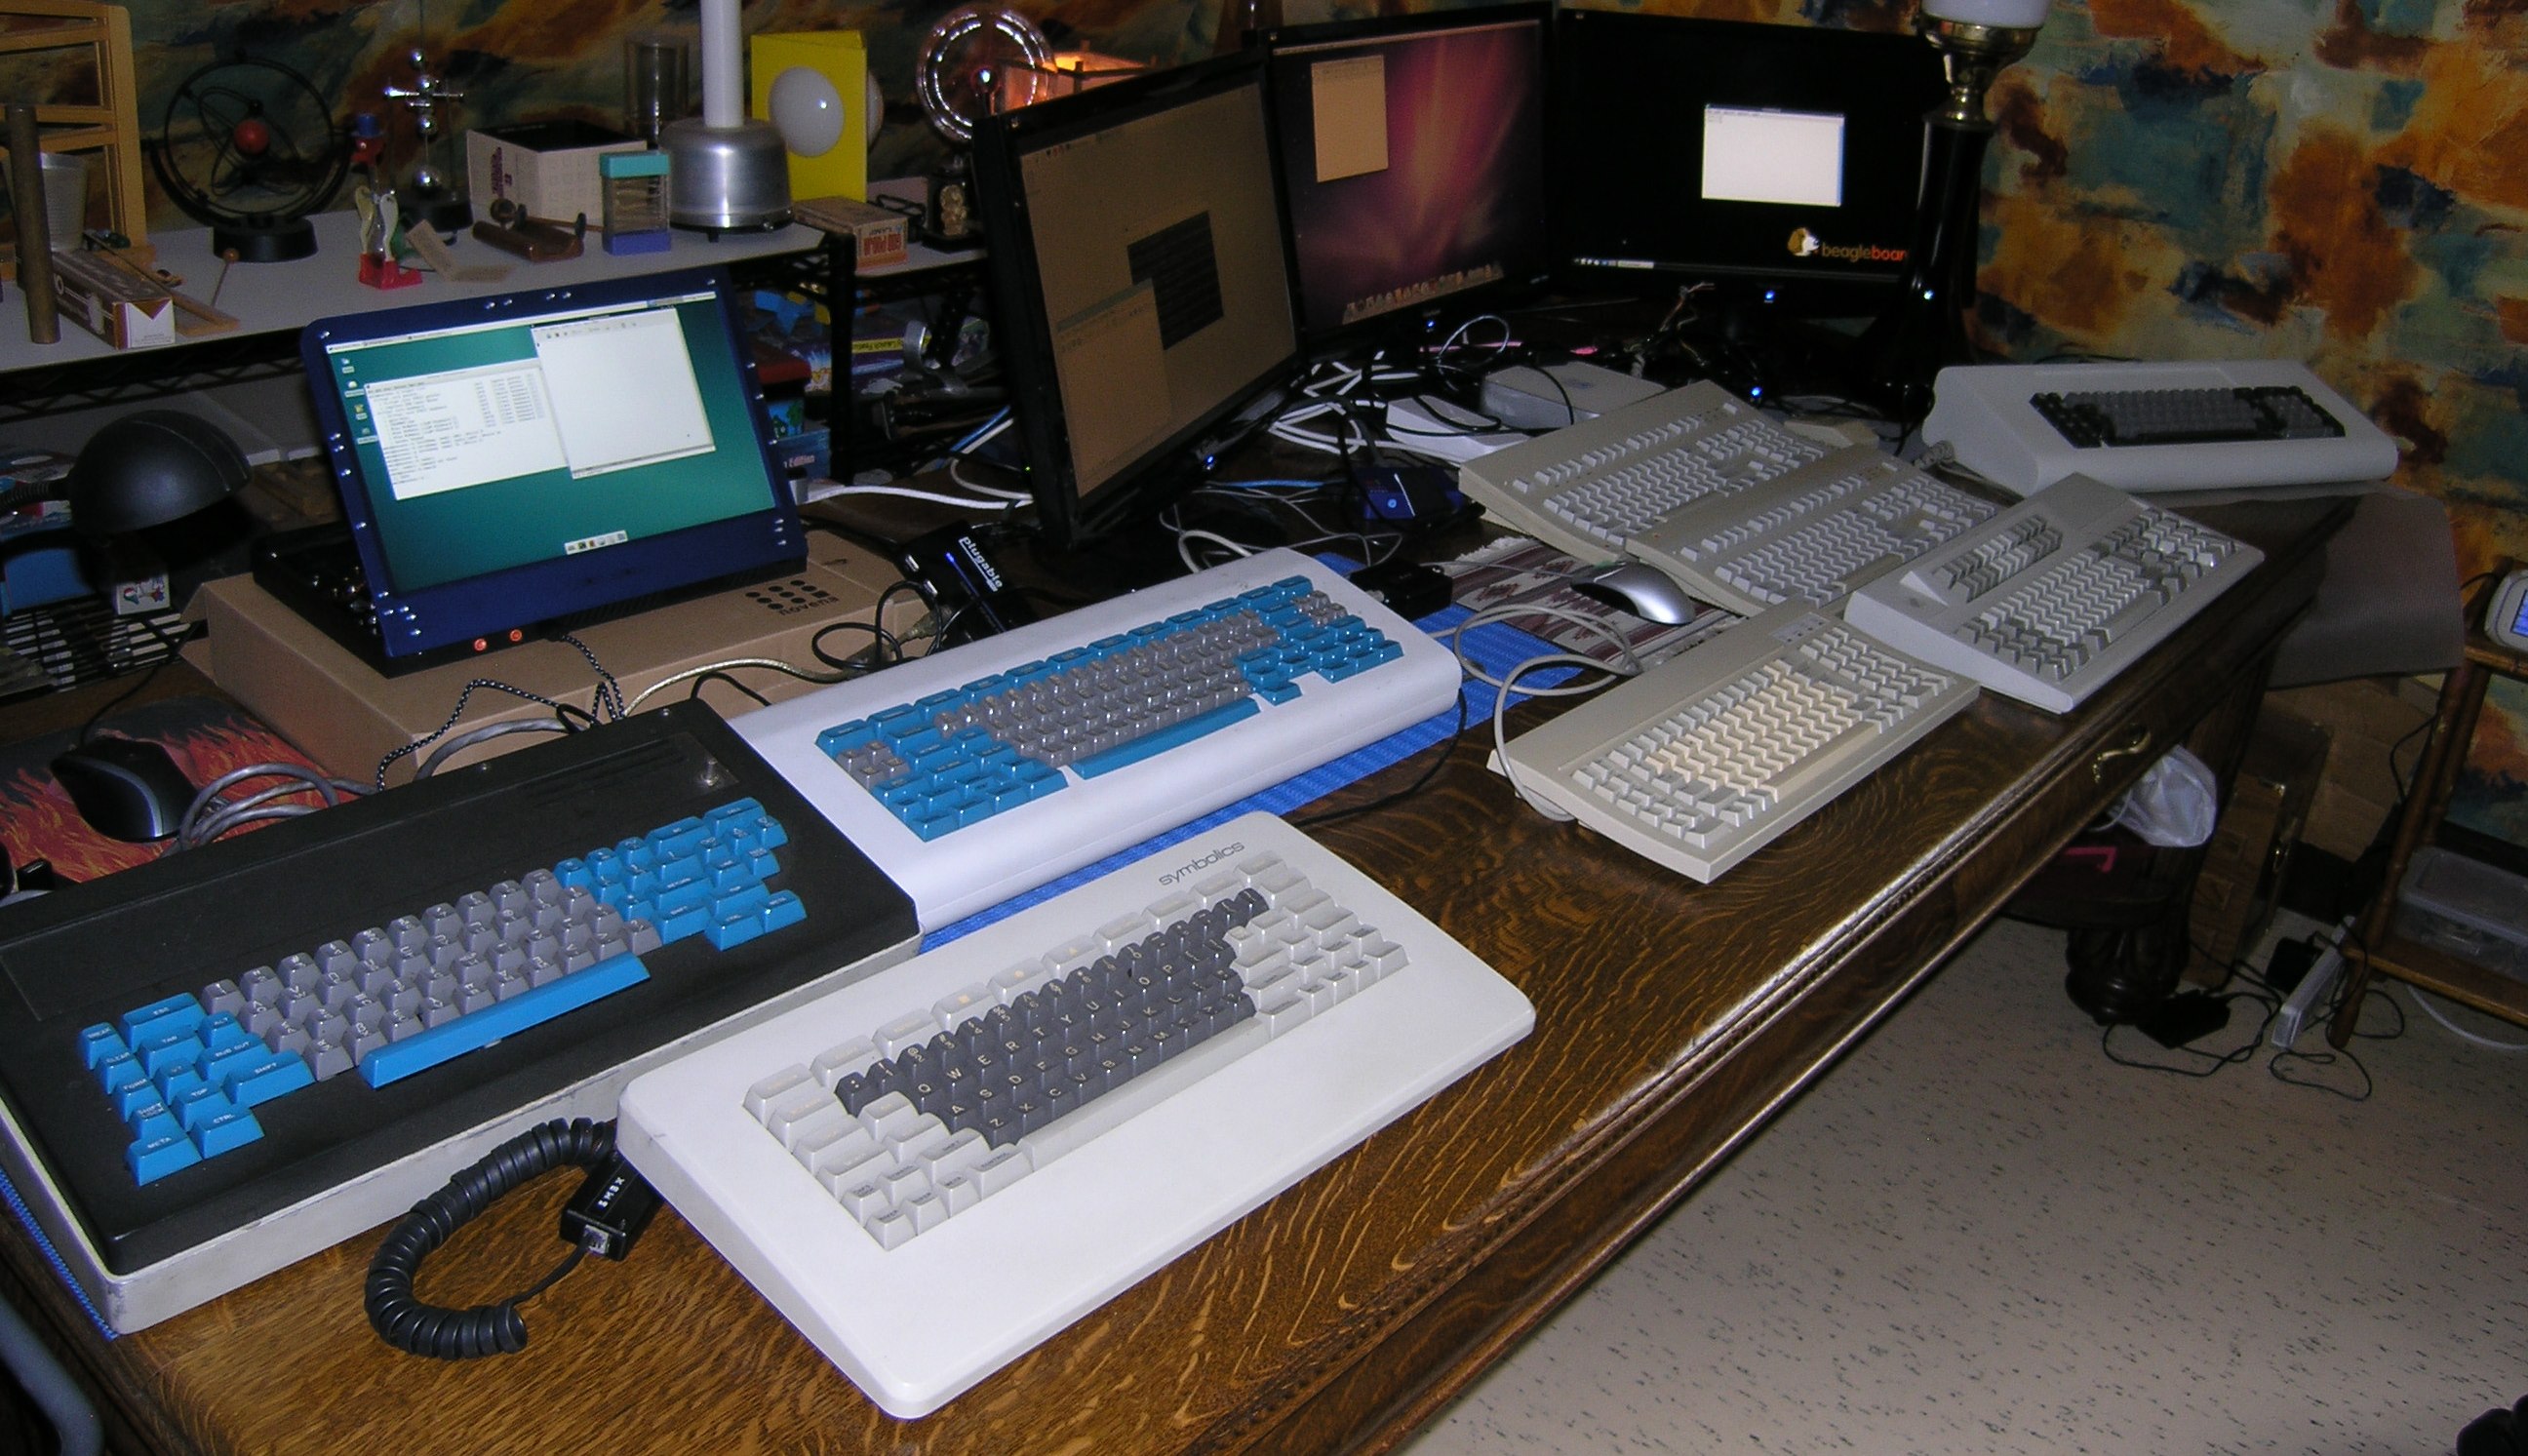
(348, 719)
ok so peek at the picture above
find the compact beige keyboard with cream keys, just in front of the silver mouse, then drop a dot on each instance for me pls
(1715, 752)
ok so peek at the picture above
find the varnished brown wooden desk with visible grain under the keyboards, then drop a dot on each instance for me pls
(1672, 1022)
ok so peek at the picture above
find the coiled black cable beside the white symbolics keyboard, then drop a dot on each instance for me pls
(421, 1328)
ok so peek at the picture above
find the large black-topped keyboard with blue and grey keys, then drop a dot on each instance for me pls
(226, 1060)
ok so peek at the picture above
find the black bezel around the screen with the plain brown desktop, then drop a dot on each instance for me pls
(1025, 332)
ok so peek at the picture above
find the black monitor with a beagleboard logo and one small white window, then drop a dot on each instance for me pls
(1773, 161)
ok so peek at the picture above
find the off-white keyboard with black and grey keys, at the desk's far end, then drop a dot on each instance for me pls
(2155, 426)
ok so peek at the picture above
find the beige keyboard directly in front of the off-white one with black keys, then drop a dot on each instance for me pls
(2057, 595)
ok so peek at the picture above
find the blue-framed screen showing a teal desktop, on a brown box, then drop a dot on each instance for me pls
(547, 456)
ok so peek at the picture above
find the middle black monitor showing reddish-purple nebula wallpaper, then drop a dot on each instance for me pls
(1412, 166)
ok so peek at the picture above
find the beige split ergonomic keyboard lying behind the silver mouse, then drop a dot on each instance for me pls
(1710, 492)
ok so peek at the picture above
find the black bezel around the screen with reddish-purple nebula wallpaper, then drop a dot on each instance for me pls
(1521, 279)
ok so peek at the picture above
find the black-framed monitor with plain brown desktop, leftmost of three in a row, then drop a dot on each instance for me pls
(1141, 284)
